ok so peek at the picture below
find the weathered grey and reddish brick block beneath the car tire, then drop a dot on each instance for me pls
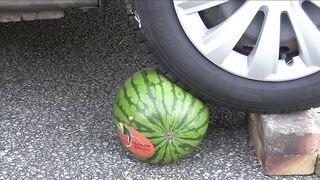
(286, 144)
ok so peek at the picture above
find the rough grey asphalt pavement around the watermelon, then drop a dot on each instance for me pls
(58, 79)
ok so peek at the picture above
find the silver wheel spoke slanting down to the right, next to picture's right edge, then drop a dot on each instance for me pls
(308, 36)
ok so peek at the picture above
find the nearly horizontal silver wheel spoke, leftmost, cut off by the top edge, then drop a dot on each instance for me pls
(194, 6)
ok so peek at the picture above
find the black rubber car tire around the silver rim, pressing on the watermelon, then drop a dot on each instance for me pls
(156, 24)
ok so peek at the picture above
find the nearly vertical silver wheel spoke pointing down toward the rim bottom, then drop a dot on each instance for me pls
(264, 58)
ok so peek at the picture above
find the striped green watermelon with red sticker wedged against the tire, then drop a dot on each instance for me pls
(156, 120)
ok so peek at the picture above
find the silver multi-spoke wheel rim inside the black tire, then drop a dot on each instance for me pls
(286, 45)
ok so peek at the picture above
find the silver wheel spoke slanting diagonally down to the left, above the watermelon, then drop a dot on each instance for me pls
(222, 39)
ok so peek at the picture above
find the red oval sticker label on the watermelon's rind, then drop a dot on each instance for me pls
(135, 142)
